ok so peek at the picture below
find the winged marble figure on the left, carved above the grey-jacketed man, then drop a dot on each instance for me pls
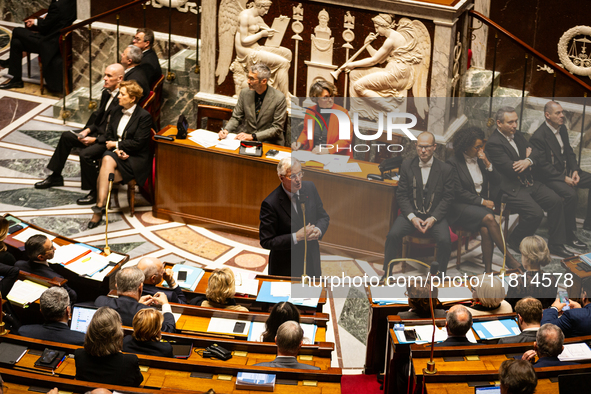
(241, 28)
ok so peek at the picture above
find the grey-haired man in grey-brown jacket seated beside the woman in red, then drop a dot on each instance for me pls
(262, 109)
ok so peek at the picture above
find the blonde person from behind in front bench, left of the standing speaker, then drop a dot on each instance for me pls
(220, 291)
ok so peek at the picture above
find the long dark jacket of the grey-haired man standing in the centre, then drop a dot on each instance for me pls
(277, 226)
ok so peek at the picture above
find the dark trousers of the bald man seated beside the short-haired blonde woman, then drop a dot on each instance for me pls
(88, 157)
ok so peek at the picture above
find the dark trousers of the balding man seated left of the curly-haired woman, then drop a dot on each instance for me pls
(403, 227)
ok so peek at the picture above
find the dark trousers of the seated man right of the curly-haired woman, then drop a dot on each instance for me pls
(530, 203)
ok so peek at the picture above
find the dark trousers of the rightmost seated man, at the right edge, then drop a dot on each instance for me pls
(570, 199)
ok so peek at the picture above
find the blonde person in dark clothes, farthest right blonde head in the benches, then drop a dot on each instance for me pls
(534, 255)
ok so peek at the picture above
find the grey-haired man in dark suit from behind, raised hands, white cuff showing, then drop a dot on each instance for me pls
(129, 282)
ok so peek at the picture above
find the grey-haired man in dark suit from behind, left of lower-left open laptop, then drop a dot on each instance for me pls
(55, 308)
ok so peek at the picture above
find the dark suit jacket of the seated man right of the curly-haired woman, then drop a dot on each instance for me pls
(502, 155)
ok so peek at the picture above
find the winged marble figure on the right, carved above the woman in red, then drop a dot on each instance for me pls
(406, 53)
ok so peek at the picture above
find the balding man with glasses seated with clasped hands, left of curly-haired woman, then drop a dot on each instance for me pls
(425, 192)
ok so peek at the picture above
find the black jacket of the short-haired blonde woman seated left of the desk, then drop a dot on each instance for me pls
(135, 141)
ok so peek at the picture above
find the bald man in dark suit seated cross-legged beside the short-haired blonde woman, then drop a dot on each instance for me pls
(91, 140)
